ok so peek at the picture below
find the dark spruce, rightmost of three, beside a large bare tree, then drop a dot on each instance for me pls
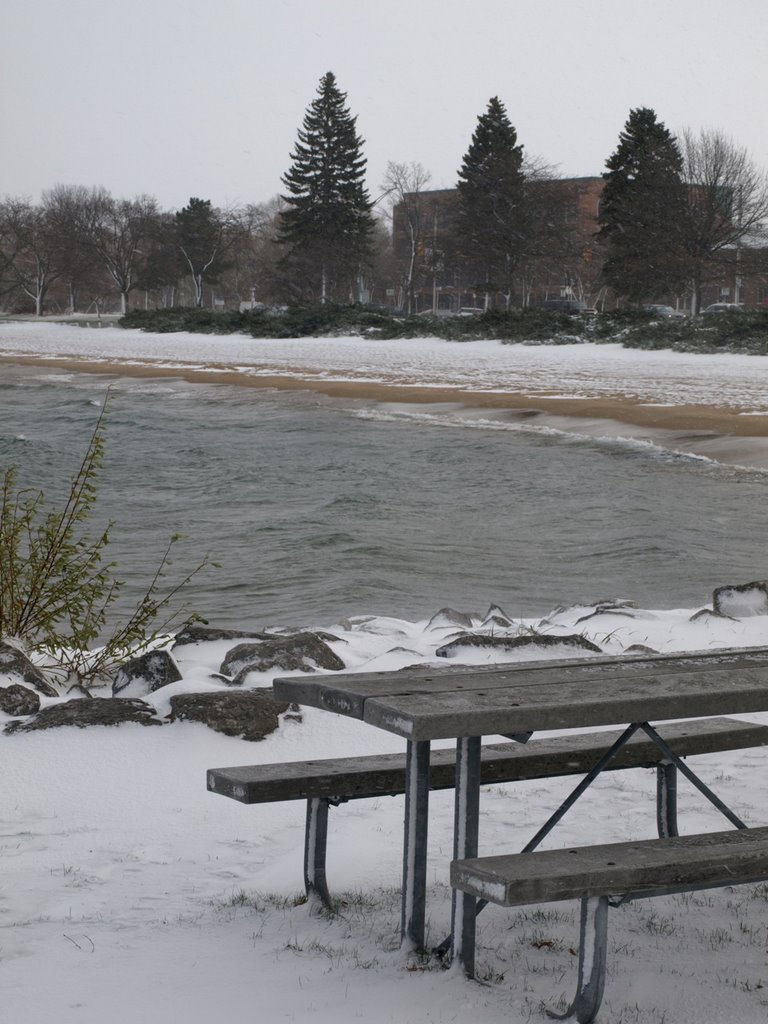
(644, 212)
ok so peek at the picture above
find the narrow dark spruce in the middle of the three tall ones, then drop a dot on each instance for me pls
(493, 217)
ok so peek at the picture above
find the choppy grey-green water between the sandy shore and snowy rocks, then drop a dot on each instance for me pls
(320, 509)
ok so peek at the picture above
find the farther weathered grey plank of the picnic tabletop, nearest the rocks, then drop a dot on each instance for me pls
(347, 695)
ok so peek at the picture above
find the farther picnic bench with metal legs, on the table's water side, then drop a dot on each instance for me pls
(331, 782)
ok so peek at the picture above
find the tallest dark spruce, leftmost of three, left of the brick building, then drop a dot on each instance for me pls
(327, 225)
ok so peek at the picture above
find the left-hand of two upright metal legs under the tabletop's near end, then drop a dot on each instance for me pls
(415, 844)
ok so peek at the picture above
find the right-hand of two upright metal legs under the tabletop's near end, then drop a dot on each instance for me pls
(466, 828)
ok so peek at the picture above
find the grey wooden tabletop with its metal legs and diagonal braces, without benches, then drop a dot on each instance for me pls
(516, 701)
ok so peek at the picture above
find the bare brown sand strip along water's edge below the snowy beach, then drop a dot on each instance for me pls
(719, 434)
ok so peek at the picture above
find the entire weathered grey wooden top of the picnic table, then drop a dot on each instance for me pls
(436, 704)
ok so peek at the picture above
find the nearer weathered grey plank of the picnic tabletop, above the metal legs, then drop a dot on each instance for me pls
(570, 705)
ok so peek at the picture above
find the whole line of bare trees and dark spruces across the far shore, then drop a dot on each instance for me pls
(674, 215)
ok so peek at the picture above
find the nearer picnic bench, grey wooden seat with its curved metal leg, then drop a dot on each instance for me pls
(610, 875)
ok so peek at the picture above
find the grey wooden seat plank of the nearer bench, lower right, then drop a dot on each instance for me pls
(648, 868)
